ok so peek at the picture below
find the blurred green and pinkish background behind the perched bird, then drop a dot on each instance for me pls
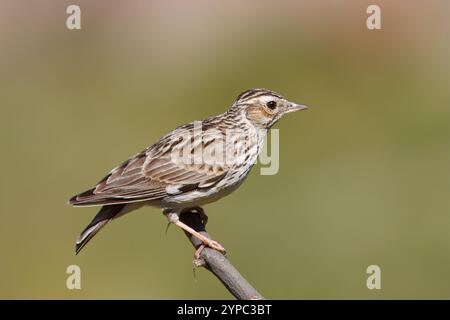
(364, 174)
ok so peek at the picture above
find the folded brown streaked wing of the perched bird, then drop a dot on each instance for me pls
(177, 163)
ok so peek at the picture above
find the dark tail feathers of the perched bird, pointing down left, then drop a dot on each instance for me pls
(105, 214)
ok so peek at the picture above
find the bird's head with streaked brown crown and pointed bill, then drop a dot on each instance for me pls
(263, 108)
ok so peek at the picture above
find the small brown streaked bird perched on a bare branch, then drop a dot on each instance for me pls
(193, 165)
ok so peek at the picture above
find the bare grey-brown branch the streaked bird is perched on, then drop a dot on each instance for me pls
(217, 263)
